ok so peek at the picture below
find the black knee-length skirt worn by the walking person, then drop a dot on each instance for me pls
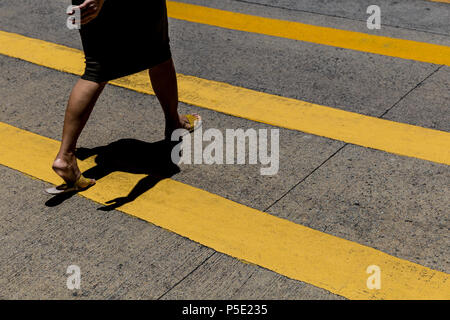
(126, 37)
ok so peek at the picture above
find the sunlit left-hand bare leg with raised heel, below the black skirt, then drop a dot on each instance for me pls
(81, 102)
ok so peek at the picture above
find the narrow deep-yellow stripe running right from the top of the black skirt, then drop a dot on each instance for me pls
(399, 48)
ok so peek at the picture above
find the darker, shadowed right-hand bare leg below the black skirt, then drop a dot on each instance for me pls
(164, 83)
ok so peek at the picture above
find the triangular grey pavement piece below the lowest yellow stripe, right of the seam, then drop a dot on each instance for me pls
(222, 277)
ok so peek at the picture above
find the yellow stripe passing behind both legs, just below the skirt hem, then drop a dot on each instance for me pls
(389, 136)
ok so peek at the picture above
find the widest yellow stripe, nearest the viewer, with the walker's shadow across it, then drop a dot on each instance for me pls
(295, 251)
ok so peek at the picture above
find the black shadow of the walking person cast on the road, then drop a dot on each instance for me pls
(127, 155)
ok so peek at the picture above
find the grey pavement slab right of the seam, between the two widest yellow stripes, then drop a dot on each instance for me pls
(395, 204)
